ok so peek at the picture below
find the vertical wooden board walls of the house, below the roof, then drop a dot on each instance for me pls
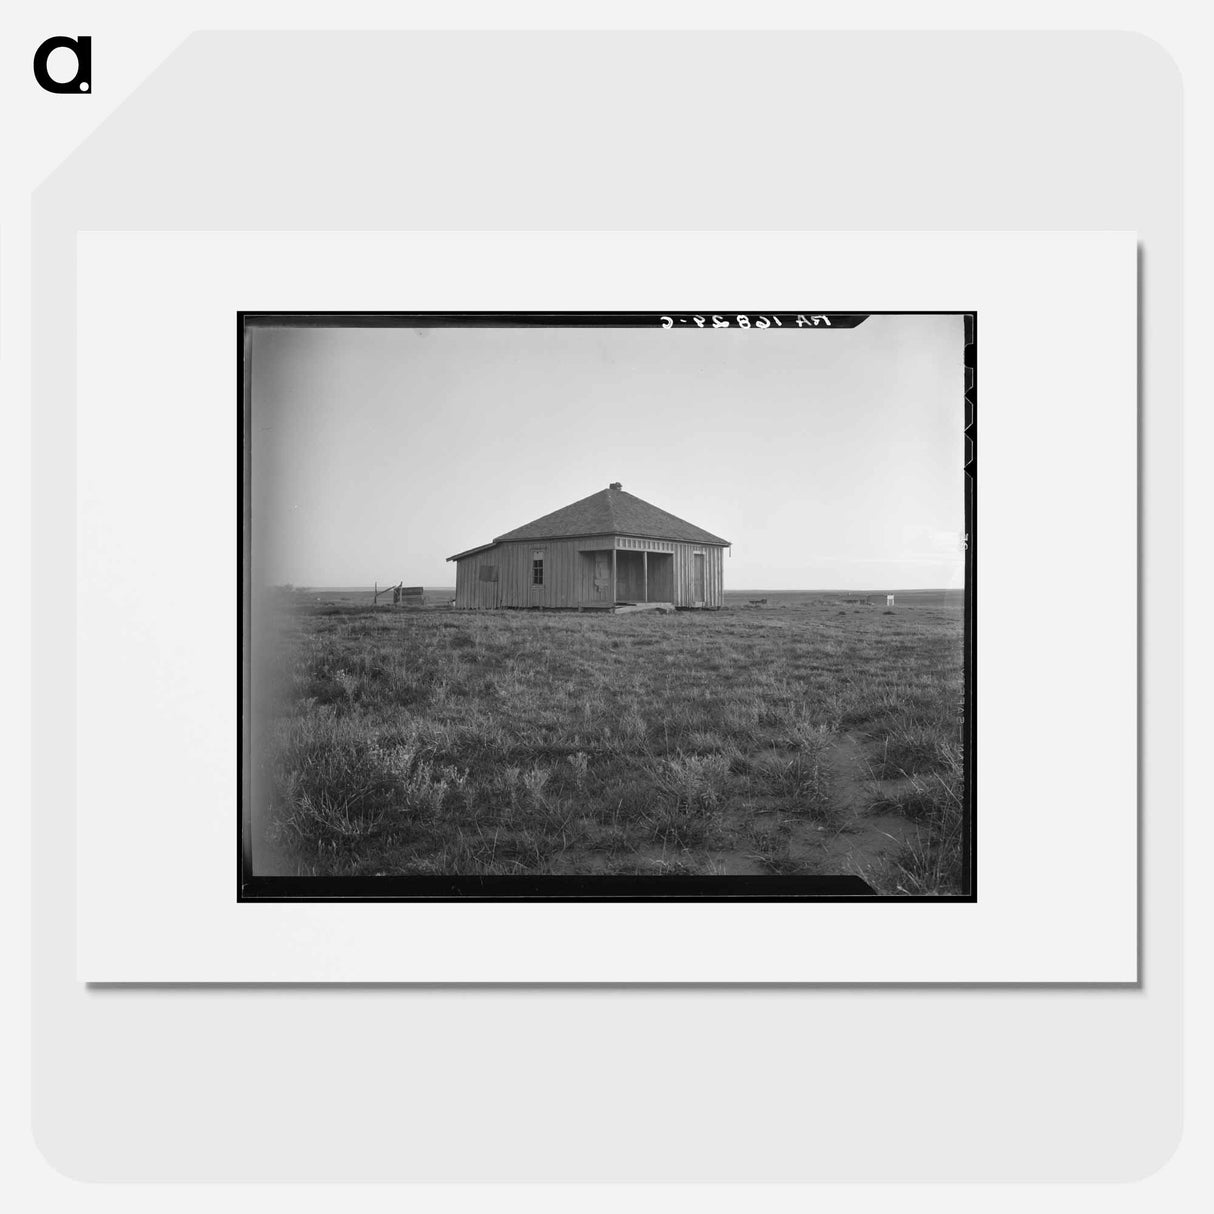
(572, 574)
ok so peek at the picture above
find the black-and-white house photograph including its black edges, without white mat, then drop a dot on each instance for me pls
(608, 605)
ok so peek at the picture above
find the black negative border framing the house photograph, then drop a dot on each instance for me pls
(581, 889)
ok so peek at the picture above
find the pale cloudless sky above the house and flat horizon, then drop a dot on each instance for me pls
(831, 459)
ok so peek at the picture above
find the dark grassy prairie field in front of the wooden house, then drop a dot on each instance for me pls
(814, 736)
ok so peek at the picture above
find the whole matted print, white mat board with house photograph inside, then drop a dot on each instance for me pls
(532, 636)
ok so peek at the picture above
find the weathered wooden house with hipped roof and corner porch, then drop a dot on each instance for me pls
(606, 552)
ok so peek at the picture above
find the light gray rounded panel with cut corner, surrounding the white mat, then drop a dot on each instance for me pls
(620, 132)
